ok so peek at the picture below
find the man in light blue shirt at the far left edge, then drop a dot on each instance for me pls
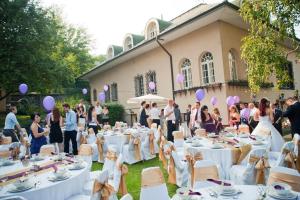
(10, 123)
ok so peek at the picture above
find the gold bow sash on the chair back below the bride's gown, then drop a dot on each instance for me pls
(261, 164)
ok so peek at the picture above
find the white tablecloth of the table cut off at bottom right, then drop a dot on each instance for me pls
(247, 192)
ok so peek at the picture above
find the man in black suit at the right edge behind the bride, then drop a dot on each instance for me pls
(293, 114)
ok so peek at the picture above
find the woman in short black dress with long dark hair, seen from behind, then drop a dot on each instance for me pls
(55, 123)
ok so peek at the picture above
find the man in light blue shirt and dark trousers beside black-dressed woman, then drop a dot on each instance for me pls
(71, 129)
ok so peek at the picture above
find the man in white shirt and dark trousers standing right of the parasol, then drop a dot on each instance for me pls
(170, 117)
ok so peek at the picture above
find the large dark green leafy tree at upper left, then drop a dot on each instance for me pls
(38, 48)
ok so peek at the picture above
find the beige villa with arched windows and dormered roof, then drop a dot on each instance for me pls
(203, 44)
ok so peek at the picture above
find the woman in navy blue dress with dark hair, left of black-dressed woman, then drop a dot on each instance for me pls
(37, 133)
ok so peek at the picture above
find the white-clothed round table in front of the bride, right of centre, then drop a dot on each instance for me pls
(222, 157)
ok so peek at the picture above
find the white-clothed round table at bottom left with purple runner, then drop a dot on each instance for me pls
(47, 190)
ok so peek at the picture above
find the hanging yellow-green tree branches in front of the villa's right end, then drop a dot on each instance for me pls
(271, 26)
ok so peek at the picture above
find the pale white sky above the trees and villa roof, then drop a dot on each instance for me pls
(108, 21)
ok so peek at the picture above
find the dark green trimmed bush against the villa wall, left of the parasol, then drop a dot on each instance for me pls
(116, 112)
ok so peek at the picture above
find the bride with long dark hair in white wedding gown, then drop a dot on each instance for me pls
(265, 123)
